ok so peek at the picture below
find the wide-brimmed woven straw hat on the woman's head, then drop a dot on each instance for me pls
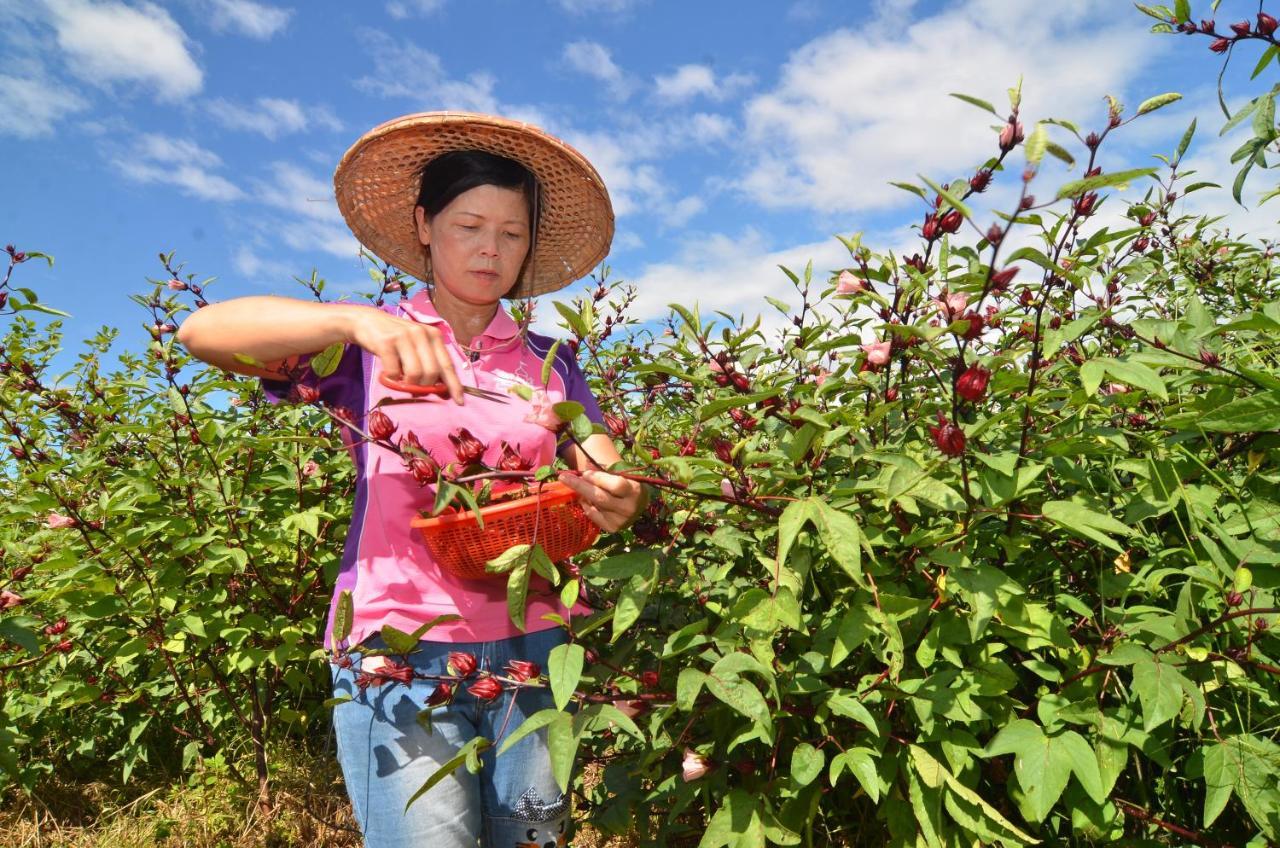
(378, 181)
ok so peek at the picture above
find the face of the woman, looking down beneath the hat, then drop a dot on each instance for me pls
(478, 243)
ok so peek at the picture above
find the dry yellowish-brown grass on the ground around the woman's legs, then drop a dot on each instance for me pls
(208, 810)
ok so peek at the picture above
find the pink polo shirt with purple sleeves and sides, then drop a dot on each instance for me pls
(386, 564)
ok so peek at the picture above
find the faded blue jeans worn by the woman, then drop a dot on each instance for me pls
(387, 756)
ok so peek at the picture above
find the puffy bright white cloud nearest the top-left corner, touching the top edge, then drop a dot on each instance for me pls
(112, 43)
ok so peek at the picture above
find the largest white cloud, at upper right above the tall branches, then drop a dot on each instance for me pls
(856, 110)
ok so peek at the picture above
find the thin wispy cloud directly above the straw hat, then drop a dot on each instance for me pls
(404, 70)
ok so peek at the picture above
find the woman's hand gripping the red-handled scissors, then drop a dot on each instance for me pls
(410, 352)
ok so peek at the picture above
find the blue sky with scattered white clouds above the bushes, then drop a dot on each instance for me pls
(734, 136)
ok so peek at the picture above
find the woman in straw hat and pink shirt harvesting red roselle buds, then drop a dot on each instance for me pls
(479, 208)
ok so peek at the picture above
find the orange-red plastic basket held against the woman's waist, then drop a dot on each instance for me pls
(551, 517)
